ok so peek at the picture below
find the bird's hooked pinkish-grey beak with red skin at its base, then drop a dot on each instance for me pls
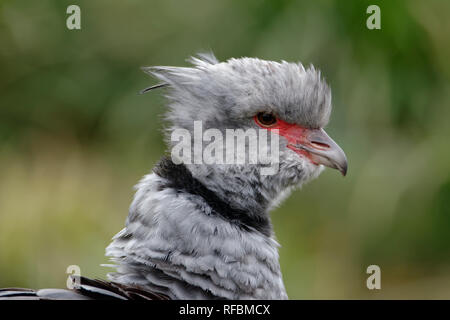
(318, 147)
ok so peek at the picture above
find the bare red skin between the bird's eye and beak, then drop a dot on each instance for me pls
(293, 133)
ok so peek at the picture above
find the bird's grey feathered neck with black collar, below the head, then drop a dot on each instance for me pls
(183, 240)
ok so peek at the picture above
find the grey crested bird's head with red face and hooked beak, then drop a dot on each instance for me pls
(285, 99)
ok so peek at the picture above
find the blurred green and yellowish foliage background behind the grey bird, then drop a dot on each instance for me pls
(75, 136)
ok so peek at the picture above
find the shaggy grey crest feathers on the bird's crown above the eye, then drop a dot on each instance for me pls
(242, 87)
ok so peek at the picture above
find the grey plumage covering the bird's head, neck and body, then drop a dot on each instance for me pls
(199, 231)
